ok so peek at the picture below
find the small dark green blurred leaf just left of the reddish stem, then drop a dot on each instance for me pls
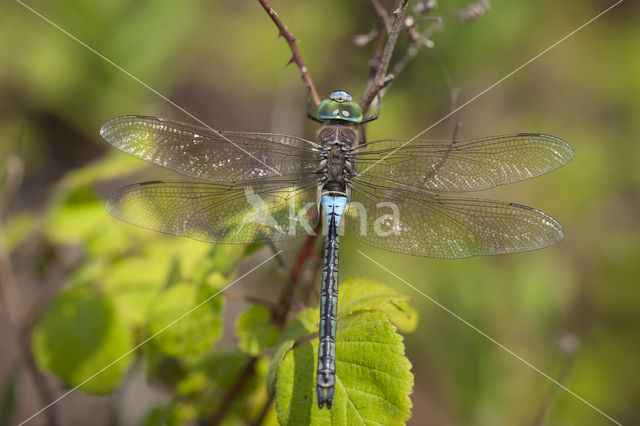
(255, 330)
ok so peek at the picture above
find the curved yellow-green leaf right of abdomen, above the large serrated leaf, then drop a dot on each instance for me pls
(360, 294)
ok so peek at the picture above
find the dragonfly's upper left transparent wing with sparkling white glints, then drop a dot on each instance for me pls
(204, 154)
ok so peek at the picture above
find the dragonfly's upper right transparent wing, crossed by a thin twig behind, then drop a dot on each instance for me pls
(460, 166)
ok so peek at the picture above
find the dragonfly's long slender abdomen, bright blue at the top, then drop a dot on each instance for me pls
(333, 204)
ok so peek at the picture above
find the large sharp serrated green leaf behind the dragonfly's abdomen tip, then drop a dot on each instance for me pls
(373, 379)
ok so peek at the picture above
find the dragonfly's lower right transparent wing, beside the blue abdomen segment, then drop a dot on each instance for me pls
(442, 226)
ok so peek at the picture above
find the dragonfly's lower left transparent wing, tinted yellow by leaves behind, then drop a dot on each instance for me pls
(219, 213)
